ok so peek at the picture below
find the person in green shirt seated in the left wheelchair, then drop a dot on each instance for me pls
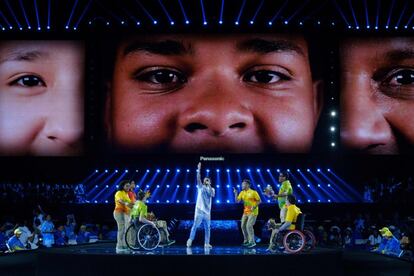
(140, 215)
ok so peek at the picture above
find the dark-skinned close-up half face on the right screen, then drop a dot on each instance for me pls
(377, 95)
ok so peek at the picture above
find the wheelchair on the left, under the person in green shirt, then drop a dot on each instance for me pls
(143, 236)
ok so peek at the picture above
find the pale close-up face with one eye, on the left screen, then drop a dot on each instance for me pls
(41, 98)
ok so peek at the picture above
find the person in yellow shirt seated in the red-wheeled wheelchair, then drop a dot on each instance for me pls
(290, 220)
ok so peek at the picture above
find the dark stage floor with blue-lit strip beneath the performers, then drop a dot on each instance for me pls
(101, 259)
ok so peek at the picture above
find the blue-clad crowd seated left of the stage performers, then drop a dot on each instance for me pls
(43, 231)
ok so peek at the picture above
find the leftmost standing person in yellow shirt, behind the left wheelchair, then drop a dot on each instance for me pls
(123, 206)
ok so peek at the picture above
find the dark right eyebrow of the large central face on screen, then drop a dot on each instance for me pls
(264, 46)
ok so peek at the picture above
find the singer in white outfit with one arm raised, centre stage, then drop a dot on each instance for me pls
(203, 209)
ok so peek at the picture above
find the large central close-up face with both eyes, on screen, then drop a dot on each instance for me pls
(213, 93)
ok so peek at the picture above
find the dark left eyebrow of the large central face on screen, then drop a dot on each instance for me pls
(163, 47)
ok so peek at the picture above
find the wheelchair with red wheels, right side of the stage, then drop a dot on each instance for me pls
(295, 241)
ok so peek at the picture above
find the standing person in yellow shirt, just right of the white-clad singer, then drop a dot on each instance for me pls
(251, 201)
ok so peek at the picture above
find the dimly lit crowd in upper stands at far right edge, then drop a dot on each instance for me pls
(389, 190)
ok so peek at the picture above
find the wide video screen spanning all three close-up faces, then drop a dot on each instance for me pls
(273, 93)
